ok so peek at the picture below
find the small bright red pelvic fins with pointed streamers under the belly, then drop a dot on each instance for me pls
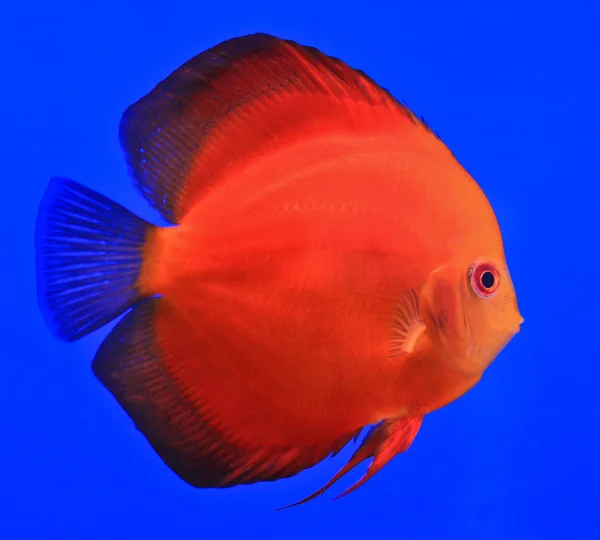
(382, 443)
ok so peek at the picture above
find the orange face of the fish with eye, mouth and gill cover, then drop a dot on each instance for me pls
(471, 312)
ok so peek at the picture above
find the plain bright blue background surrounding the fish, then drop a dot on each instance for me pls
(513, 90)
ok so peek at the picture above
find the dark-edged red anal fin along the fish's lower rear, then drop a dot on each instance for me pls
(162, 378)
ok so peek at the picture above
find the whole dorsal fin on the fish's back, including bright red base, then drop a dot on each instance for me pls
(226, 104)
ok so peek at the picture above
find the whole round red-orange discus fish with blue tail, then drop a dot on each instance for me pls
(330, 266)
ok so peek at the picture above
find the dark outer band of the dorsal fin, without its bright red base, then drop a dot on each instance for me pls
(163, 132)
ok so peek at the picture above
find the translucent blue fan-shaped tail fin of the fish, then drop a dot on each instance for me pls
(89, 253)
